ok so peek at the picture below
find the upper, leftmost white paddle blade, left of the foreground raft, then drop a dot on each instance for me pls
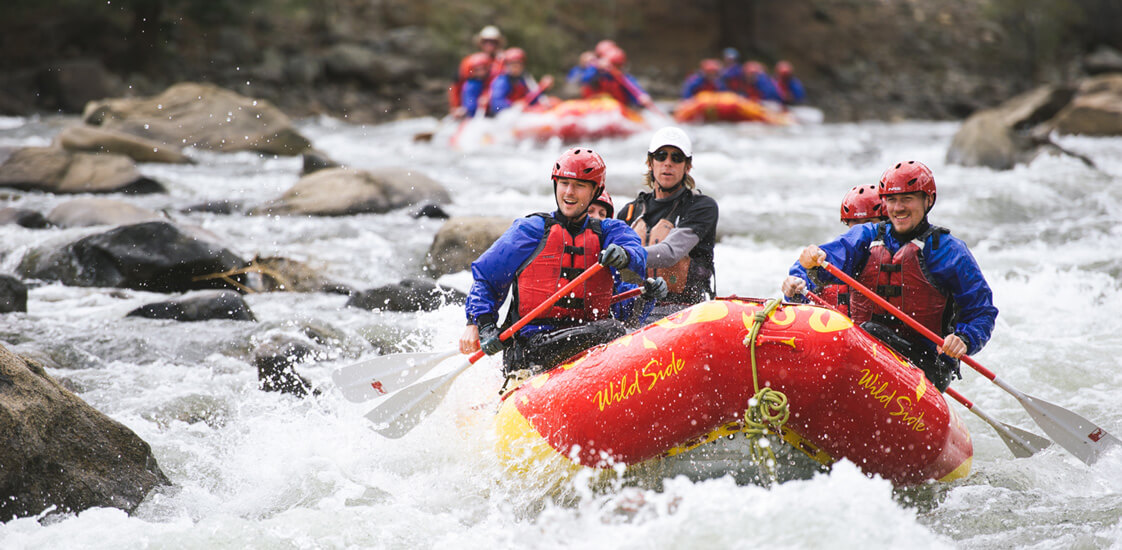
(388, 374)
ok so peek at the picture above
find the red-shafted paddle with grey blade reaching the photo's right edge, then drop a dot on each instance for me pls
(1081, 437)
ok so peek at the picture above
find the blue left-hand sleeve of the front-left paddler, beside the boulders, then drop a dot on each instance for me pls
(494, 271)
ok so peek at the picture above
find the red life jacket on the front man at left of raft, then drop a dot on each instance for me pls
(560, 259)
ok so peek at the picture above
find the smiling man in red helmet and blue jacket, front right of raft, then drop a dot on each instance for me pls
(918, 268)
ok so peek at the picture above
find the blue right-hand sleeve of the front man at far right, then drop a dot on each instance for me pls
(957, 272)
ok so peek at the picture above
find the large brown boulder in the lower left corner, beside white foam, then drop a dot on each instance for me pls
(60, 452)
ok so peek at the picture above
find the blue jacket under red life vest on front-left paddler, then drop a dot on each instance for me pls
(496, 270)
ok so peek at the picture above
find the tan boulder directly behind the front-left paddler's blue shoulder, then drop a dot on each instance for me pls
(461, 241)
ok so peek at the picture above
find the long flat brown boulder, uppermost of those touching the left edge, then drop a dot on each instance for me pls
(54, 170)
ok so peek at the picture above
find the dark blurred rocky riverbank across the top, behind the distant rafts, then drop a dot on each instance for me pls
(378, 61)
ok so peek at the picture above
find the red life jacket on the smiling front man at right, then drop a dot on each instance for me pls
(905, 281)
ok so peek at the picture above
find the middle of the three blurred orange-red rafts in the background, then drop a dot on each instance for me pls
(580, 120)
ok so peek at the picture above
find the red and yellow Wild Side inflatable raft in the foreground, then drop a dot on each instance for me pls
(688, 379)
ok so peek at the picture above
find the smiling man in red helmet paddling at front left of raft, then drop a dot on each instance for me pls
(538, 255)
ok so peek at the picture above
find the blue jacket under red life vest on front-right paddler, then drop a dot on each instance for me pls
(952, 267)
